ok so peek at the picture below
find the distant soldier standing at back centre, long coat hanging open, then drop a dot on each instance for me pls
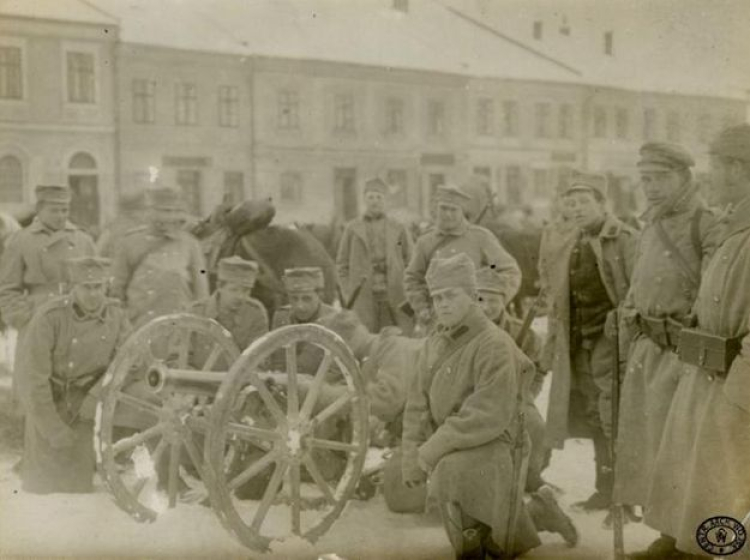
(372, 255)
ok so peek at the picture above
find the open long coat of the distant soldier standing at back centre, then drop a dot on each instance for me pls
(354, 261)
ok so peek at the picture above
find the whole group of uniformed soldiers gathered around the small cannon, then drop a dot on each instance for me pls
(450, 373)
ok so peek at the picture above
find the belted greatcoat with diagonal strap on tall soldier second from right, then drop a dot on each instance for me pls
(660, 288)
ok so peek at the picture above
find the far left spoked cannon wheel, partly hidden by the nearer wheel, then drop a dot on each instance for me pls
(152, 415)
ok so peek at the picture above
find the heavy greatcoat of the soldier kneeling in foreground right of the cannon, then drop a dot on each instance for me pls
(460, 421)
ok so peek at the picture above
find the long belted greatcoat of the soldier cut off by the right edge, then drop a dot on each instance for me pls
(701, 469)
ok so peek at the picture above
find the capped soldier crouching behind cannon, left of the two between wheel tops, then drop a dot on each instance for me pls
(232, 304)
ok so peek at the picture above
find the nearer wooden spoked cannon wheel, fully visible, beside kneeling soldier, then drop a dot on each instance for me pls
(307, 431)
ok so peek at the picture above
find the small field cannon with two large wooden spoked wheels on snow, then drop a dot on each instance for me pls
(182, 409)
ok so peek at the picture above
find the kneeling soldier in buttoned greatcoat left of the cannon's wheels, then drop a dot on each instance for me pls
(68, 346)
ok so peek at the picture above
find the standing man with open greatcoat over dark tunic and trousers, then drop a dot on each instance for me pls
(599, 261)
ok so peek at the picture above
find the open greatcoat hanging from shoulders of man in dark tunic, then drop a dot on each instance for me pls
(614, 249)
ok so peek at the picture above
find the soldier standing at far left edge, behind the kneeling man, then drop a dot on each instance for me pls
(31, 271)
